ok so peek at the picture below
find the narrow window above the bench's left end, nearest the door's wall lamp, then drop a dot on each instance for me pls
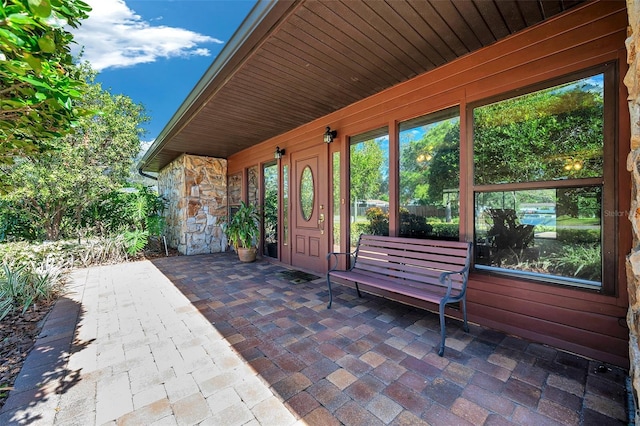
(369, 184)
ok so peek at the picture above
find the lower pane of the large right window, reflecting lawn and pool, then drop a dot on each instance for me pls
(543, 231)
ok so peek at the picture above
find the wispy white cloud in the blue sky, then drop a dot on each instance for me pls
(115, 36)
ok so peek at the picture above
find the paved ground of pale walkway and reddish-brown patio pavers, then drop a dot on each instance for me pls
(207, 340)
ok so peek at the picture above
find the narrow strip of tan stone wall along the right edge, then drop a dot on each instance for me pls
(632, 81)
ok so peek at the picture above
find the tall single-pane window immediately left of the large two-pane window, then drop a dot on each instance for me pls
(430, 176)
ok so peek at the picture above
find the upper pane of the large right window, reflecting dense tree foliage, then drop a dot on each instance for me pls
(551, 134)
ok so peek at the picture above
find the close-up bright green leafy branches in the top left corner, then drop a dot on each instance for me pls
(39, 83)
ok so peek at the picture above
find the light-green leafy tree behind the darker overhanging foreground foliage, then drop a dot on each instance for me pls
(57, 186)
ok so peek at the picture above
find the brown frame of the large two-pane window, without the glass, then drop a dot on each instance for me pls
(608, 181)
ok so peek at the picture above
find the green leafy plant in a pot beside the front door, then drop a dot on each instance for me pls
(242, 231)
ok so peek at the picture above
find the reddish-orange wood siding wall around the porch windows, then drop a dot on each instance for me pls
(585, 322)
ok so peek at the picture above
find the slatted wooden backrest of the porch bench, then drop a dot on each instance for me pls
(414, 259)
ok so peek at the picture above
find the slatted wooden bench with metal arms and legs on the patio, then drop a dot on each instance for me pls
(429, 270)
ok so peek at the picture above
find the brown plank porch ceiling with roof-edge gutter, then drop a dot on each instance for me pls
(291, 62)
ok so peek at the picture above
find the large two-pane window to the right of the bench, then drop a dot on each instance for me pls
(539, 182)
